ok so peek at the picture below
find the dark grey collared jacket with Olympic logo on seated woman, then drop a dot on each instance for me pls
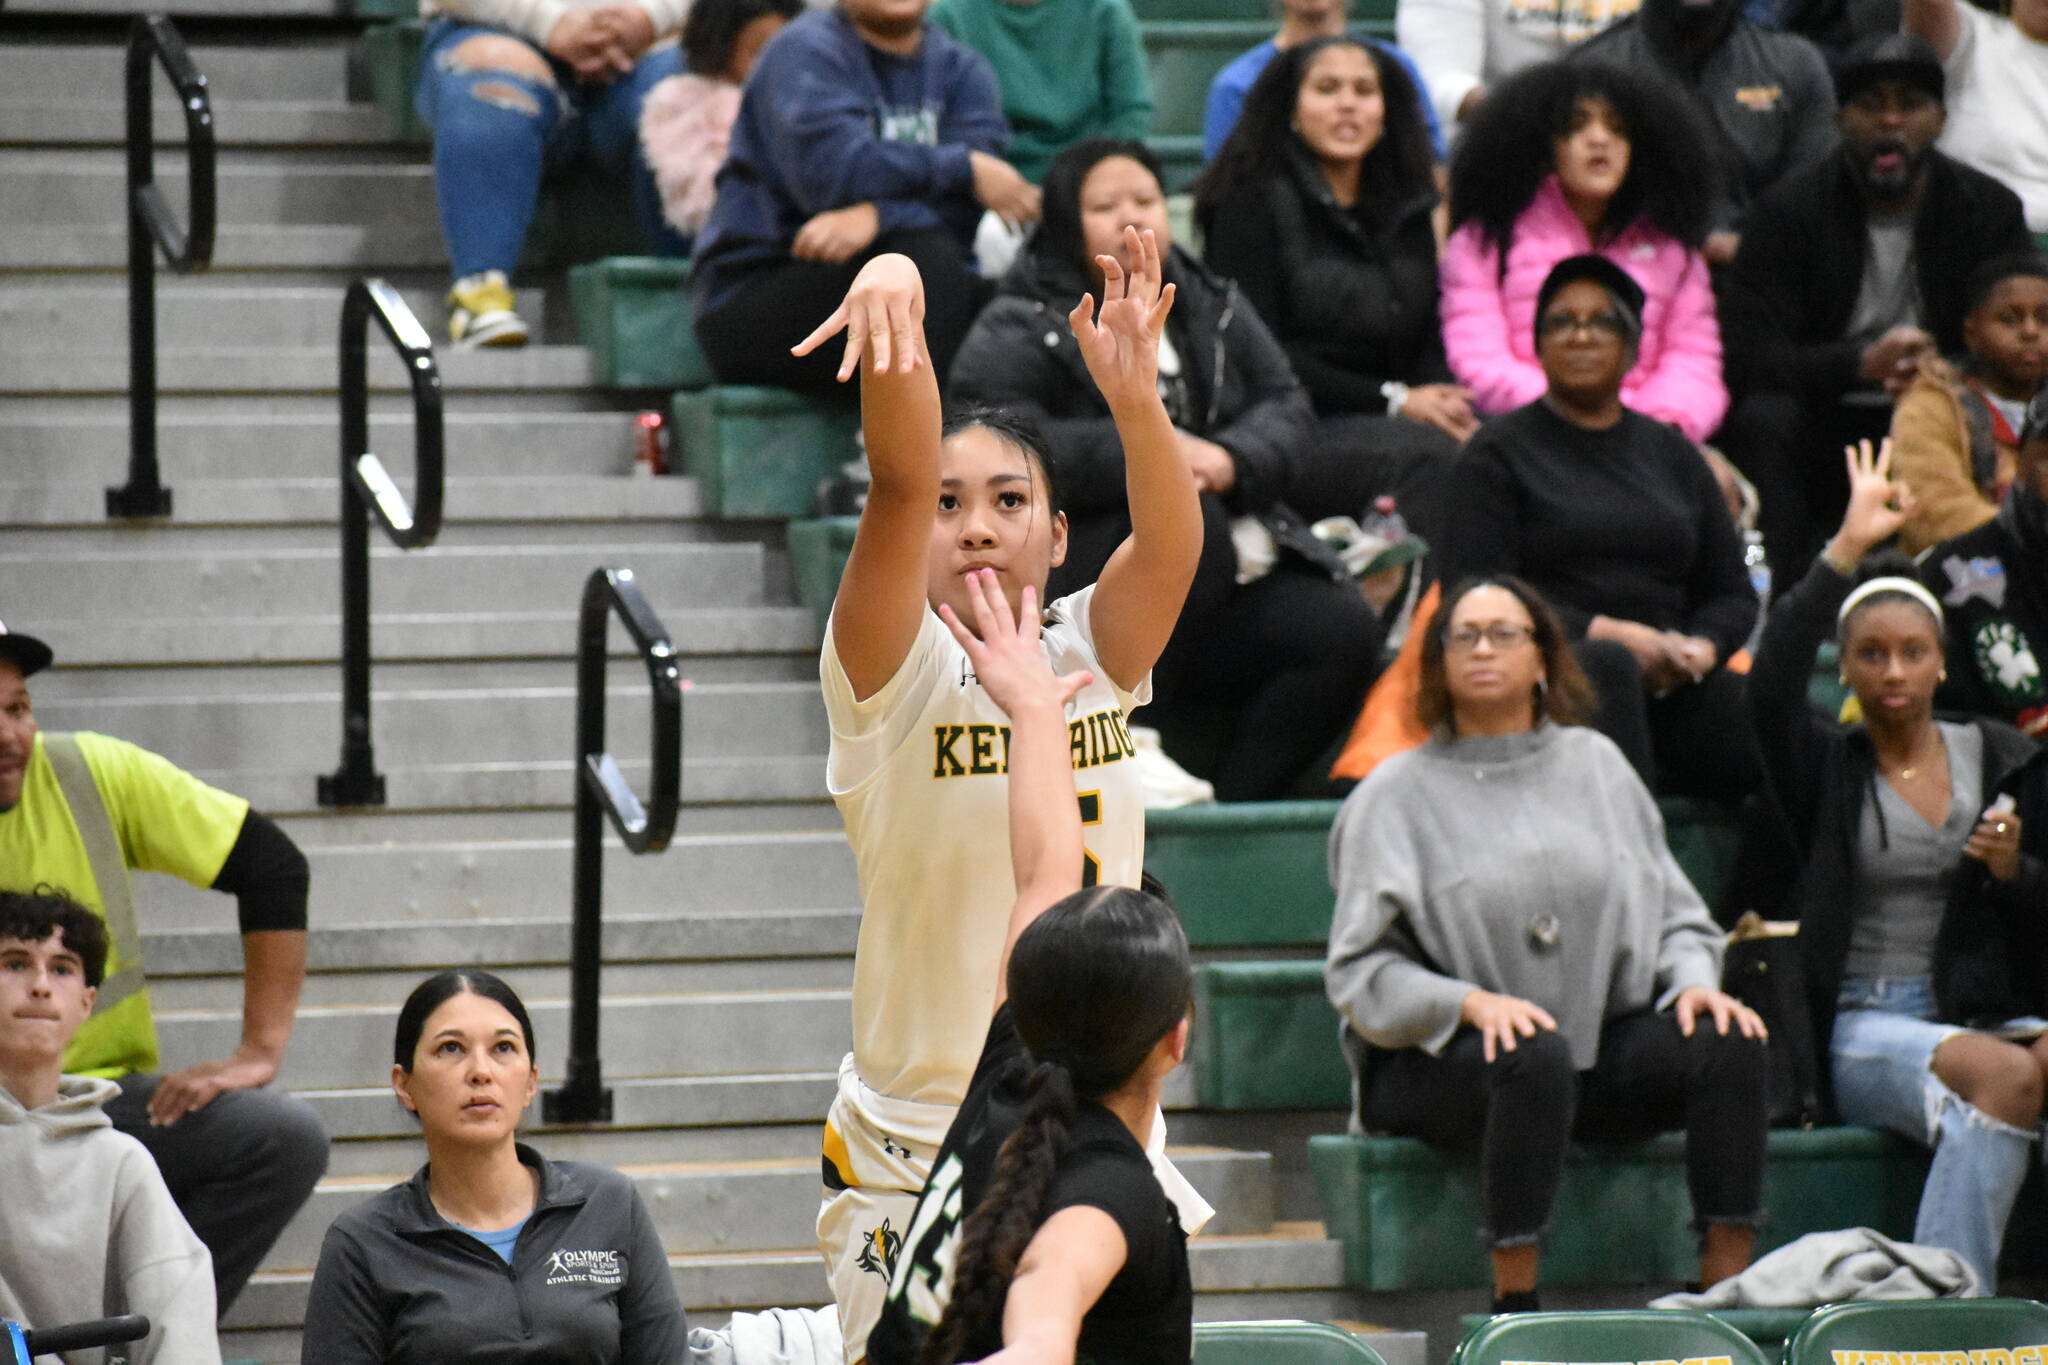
(589, 1282)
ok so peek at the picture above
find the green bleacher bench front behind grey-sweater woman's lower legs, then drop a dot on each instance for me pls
(1410, 1217)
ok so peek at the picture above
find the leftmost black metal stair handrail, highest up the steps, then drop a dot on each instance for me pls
(153, 228)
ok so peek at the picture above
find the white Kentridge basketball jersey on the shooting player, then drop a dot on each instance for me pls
(921, 775)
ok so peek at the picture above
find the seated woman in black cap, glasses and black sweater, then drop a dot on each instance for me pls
(1621, 525)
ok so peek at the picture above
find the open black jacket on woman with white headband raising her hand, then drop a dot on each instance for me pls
(1992, 951)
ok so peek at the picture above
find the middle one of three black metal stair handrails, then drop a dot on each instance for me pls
(368, 492)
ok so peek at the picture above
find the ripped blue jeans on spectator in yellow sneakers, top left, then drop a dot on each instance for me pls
(497, 134)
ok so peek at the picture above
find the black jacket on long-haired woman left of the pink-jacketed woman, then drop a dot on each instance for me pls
(1355, 306)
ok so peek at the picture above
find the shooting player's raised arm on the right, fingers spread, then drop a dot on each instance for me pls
(1148, 578)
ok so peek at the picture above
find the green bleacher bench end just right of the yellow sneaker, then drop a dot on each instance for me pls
(634, 314)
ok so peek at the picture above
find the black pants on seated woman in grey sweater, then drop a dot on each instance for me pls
(1523, 1110)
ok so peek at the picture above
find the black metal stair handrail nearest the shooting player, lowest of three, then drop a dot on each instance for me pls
(603, 791)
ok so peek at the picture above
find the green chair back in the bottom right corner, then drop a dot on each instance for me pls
(1951, 1331)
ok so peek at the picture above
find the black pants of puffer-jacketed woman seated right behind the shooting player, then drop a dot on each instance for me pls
(1261, 678)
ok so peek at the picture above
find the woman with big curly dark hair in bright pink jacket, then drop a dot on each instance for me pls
(1572, 159)
